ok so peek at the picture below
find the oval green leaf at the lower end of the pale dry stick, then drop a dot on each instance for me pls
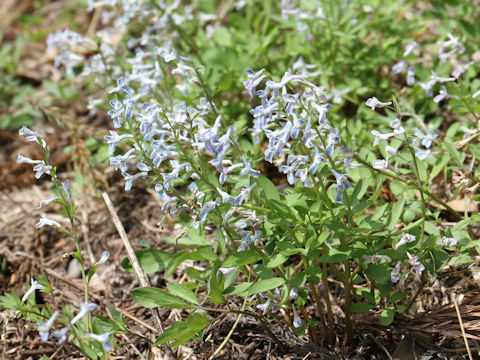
(153, 297)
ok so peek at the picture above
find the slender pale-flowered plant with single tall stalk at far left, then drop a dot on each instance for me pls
(91, 335)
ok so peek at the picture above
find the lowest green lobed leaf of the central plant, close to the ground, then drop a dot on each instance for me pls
(183, 331)
